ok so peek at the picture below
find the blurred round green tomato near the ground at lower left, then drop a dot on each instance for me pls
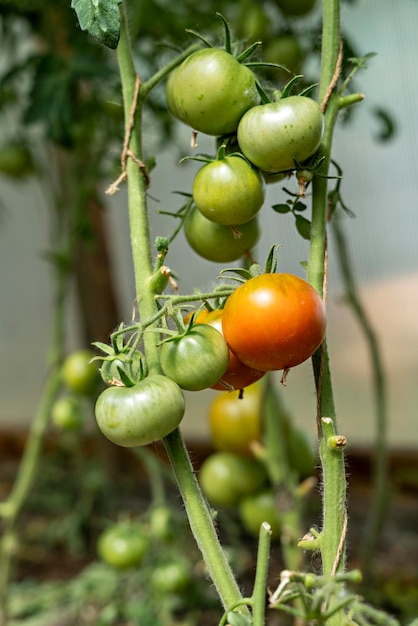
(123, 545)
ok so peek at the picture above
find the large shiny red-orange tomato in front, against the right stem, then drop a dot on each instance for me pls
(274, 321)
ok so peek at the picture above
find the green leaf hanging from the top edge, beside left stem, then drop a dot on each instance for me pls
(100, 18)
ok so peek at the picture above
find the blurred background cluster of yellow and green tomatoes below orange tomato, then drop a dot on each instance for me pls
(232, 477)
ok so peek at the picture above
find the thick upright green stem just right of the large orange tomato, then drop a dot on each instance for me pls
(332, 542)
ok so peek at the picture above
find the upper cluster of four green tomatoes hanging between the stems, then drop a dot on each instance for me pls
(215, 93)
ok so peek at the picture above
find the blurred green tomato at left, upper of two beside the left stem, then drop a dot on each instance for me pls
(79, 374)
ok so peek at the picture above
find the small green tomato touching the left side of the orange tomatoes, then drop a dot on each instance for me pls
(197, 359)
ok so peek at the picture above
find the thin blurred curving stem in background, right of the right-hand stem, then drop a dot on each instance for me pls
(380, 456)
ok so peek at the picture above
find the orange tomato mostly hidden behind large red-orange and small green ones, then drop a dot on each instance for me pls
(238, 375)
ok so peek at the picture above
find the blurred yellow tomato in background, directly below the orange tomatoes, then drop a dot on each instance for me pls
(235, 421)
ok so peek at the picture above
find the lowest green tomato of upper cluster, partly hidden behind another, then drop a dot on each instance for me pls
(219, 243)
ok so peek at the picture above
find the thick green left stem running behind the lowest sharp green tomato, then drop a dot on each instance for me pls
(200, 518)
